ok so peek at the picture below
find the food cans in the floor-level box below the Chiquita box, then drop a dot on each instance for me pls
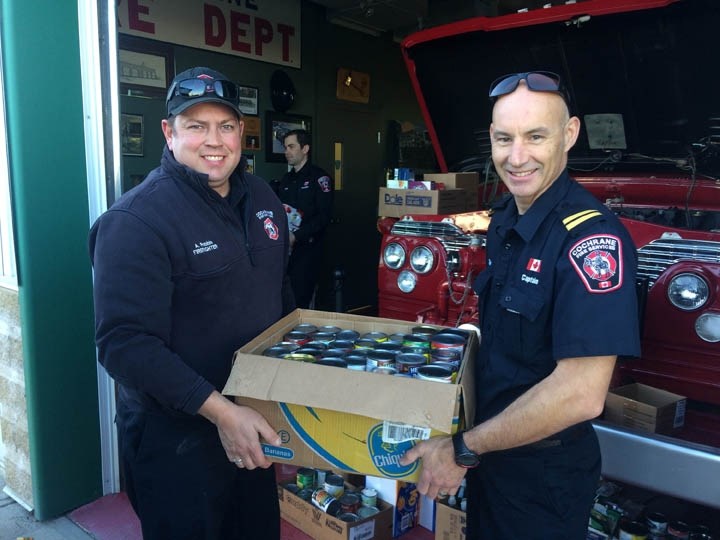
(332, 495)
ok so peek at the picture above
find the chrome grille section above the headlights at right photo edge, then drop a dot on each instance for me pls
(654, 258)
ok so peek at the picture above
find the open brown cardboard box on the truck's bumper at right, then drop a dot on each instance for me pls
(646, 408)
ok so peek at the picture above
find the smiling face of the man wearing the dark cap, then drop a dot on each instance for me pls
(206, 138)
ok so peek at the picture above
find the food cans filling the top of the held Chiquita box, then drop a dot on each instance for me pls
(426, 353)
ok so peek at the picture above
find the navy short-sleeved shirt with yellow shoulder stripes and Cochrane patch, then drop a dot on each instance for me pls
(560, 283)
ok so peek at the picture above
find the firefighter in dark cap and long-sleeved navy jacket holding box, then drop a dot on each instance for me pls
(189, 266)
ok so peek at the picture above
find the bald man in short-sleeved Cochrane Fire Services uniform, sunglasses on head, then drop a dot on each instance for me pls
(558, 306)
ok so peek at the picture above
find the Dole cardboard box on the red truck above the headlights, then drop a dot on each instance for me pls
(400, 202)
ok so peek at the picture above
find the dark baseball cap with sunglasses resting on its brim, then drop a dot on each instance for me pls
(201, 85)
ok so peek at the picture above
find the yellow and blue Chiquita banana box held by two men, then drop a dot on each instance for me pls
(342, 419)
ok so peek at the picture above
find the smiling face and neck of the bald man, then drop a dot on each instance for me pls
(531, 134)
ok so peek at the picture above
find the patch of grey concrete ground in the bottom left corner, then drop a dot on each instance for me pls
(17, 522)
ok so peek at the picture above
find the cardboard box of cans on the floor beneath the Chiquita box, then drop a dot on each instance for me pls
(321, 526)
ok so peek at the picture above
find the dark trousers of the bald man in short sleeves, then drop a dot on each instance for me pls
(534, 493)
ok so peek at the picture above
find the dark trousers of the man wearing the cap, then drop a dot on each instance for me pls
(183, 487)
